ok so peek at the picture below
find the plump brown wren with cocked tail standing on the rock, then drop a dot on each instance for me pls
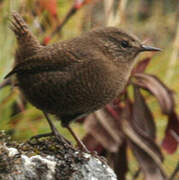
(73, 78)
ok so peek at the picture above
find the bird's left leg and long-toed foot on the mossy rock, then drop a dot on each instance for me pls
(54, 132)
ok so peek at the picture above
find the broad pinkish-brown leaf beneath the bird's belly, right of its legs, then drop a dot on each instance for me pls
(104, 128)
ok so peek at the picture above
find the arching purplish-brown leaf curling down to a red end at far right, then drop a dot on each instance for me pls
(166, 101)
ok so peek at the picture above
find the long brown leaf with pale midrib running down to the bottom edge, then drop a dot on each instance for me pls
(144, 148)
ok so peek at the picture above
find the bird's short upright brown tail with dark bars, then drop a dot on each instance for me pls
(27, 42)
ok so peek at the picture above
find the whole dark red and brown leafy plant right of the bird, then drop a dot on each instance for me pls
(129, 123)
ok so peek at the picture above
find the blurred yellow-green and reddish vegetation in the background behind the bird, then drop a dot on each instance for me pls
(156, 22)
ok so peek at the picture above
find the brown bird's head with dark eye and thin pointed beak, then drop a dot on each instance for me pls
(122, 47)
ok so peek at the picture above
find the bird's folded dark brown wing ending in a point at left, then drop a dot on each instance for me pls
(37, 64)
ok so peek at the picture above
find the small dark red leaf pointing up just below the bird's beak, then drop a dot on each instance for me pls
(141, 66)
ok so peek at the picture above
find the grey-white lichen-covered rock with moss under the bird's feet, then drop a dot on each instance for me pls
(49, 159)
